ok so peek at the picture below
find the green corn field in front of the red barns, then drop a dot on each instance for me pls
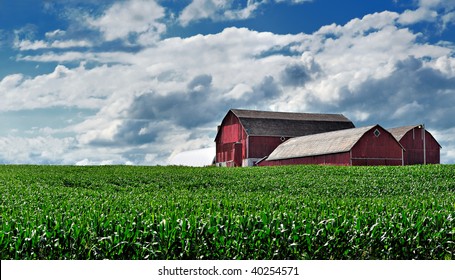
(285, 212)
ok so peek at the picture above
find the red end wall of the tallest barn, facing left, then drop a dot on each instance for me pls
(231, 132)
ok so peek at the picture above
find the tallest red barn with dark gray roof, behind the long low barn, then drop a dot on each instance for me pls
(246, 136)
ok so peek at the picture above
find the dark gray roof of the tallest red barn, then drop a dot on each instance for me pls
(263, 123)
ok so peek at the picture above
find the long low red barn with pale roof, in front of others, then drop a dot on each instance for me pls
(372, 145)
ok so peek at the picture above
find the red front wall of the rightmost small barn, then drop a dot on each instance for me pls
(412, 141)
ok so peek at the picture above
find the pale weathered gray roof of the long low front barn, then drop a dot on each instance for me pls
(319, 144)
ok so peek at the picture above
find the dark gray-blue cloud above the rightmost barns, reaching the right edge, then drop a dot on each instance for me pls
(406, 96)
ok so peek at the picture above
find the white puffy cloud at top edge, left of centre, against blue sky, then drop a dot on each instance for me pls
(132, 17)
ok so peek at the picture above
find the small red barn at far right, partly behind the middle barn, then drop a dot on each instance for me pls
(418, 149)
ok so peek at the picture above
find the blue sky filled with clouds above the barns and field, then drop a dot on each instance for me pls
(146, 82)
